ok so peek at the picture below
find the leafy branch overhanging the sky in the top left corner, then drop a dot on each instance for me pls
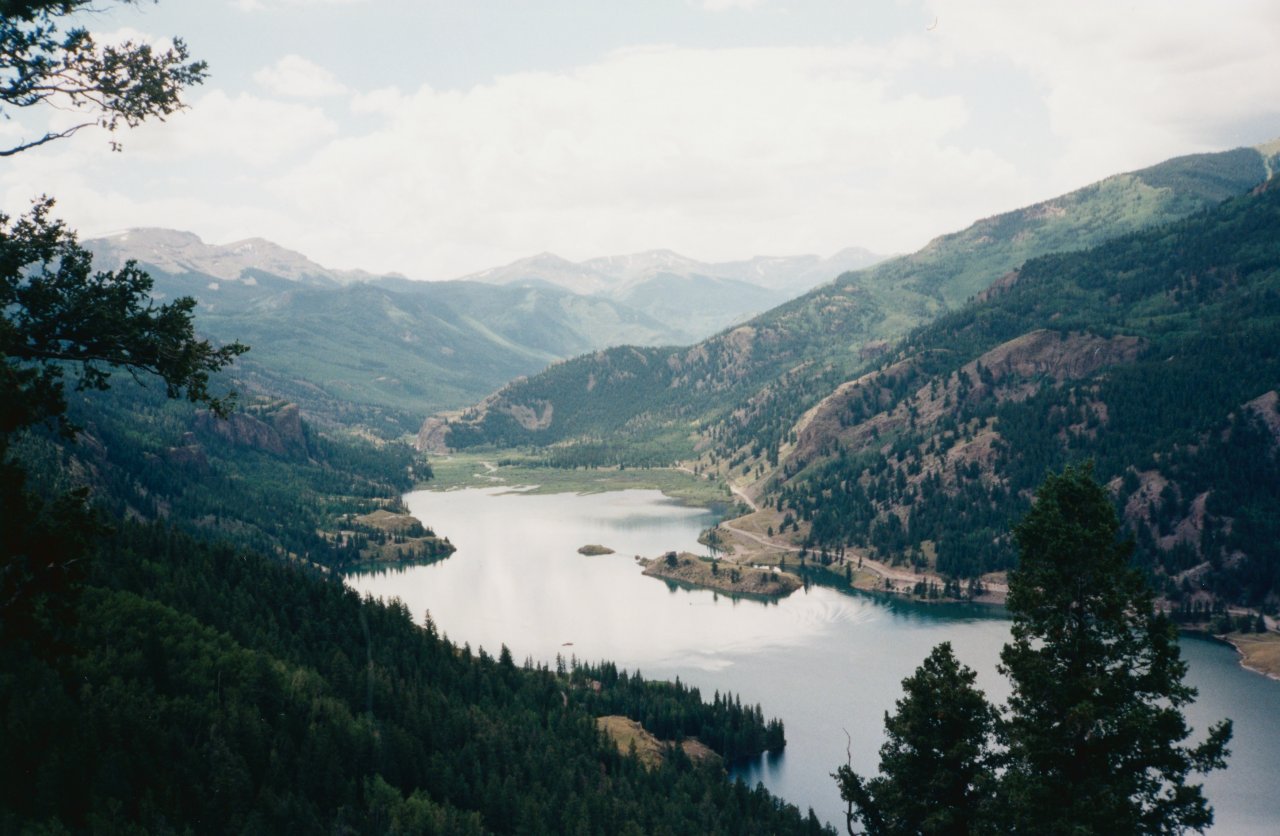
(47, 63)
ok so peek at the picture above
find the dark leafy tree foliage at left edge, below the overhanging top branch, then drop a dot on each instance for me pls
(57, 313)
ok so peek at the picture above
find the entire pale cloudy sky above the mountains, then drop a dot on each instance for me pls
(441, 138)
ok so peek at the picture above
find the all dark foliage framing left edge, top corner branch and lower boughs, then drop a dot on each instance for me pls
(58, 313)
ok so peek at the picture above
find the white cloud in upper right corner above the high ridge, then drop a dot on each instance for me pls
(1130, 84)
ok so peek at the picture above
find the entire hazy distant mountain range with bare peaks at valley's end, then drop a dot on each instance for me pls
(383, 351)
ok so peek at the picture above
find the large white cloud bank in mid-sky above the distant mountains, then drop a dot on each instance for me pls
(717, 153)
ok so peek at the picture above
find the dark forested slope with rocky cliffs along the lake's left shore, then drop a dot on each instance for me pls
(266, 478)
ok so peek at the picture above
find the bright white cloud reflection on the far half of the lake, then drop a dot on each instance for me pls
(518, 579)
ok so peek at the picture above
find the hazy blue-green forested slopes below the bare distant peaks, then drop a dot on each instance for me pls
(386, 354)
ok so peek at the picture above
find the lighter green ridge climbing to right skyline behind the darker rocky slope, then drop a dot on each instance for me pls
(751, 385)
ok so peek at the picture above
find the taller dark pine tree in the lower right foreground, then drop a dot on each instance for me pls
(1095, 730)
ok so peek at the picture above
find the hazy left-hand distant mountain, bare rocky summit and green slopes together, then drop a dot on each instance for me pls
(381, 353)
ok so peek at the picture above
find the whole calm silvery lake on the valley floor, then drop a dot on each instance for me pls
(829, 664)
